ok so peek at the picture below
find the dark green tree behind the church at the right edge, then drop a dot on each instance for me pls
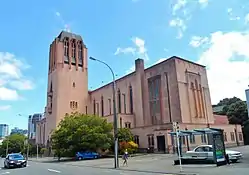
(237, 113)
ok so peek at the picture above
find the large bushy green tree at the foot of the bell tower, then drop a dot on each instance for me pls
(79, 132)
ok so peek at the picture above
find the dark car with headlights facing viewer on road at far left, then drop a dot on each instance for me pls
(15, 160)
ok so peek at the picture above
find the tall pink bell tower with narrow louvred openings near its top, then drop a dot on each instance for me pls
(67, 89)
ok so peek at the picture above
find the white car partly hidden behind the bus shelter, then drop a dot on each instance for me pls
(207, 150)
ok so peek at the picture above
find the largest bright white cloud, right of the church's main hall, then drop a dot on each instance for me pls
(227, 61)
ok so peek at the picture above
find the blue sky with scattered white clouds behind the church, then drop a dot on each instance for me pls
(210, 32)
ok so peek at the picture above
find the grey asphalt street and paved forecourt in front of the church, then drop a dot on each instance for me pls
(147, 165)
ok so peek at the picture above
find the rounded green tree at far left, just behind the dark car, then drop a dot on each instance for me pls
(15, 143)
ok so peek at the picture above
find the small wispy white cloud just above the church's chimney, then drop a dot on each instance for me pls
(139, 49)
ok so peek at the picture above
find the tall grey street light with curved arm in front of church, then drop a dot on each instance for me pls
(116, 164)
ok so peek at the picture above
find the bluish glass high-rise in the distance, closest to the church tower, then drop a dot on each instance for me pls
(33, 120)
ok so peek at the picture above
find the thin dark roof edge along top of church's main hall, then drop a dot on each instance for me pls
(166, 60)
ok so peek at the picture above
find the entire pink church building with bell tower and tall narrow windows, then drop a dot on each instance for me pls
(148, 100)
